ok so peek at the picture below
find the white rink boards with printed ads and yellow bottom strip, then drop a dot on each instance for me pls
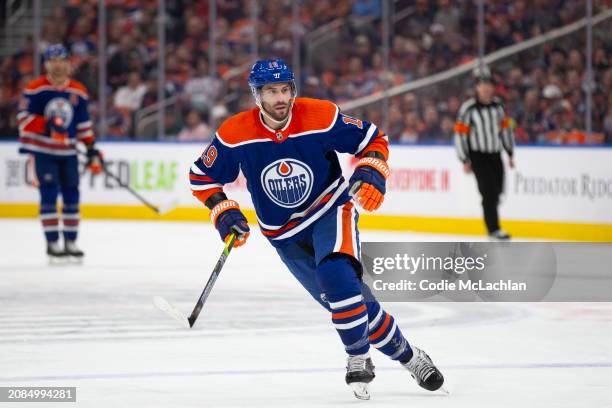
(554, 192)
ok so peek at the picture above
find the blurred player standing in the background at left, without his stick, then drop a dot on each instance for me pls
(53, 117)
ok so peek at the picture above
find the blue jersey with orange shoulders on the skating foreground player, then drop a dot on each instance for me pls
(293, 174)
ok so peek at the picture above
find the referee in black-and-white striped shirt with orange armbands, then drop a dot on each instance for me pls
(482, 129)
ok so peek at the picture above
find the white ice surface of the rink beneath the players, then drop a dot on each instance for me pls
(260, 340)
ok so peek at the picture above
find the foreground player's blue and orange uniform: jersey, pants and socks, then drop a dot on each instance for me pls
(304, 208)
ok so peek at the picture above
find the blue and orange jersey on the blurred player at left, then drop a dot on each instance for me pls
(43, 101)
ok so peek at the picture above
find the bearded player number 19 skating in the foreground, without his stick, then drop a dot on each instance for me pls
(287, 149)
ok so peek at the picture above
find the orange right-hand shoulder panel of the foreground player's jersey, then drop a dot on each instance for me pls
(313, 115)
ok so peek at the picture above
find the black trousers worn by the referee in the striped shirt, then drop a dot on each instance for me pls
(489, 172)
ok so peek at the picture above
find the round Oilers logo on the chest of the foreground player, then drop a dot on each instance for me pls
(287, 182)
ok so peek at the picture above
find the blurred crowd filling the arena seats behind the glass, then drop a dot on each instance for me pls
(544, 91)
